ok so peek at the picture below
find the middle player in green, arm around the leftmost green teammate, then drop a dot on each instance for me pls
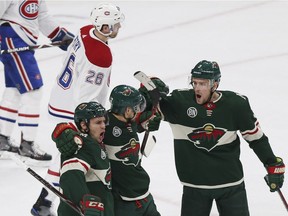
(129, 179)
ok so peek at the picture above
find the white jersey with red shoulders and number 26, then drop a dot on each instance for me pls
(85, 75)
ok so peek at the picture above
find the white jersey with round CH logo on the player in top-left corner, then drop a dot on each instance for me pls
(27, 18)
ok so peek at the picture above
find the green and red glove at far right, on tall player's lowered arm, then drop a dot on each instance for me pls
(275, 176)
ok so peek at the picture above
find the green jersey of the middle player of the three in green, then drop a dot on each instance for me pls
(130, 180)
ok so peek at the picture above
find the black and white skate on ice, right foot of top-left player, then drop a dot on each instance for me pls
(31, 154)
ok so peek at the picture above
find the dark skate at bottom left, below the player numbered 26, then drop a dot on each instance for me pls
(43, 207)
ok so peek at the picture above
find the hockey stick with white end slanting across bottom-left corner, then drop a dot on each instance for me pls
(47, 184)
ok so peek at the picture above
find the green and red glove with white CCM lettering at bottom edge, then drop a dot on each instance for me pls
(92, 206)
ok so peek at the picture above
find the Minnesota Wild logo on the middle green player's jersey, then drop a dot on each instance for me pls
(129, 153)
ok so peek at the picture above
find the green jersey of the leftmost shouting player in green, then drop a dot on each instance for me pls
(86, 172)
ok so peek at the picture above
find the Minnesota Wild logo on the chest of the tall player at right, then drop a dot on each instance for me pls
(206, 137)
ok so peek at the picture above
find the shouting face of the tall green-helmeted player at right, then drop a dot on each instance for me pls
(202, 88)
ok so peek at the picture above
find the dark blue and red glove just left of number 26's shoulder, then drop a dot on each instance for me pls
(61, 34)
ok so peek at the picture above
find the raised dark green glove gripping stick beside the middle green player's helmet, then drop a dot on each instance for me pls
(152, 97)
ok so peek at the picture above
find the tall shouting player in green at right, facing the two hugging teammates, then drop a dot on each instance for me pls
(204, 123)
